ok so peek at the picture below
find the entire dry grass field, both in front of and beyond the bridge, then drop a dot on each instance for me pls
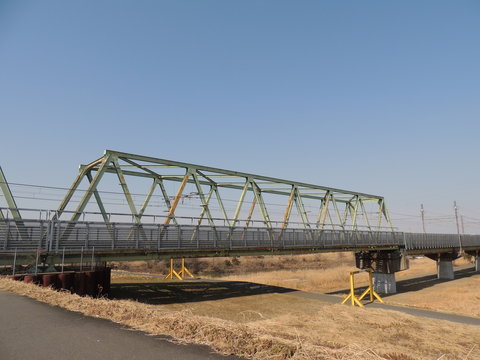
(254, 322)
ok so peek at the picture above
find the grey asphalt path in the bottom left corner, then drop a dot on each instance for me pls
(34, 330)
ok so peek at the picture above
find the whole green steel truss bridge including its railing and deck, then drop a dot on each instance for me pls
(340, 220)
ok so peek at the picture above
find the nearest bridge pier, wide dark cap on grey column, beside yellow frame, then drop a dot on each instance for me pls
(384, 263)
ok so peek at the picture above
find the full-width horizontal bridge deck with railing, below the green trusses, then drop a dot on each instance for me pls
(127, 241)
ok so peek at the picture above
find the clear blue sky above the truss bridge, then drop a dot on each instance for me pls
(374, 96)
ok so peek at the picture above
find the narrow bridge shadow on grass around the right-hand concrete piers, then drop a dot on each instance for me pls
(418, 283)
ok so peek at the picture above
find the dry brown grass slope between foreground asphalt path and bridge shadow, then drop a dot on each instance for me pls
(280, 326)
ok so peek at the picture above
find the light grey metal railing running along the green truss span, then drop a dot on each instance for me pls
(56, 235)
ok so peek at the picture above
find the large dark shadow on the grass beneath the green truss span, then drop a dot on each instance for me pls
(189, 291)
